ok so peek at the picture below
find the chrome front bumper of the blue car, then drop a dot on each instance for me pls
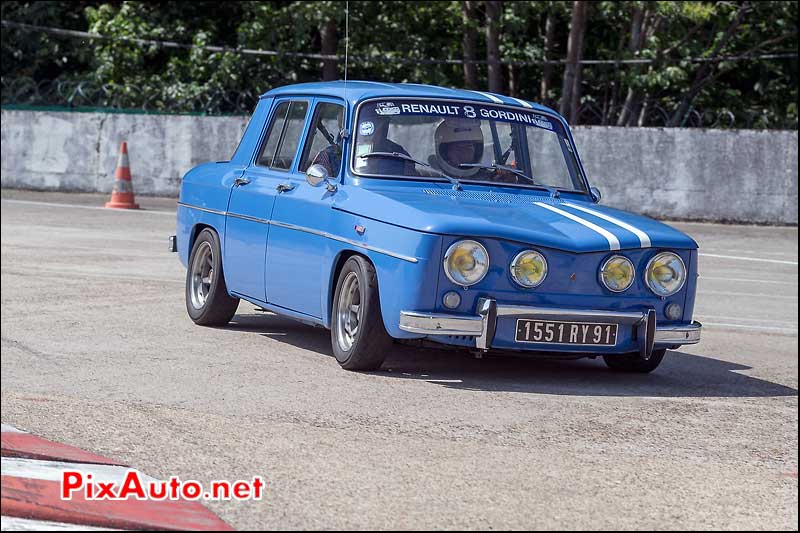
(645, 334)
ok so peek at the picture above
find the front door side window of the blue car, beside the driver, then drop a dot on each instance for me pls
(321, 146)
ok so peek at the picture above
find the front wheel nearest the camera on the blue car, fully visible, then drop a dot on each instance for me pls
(358, 336)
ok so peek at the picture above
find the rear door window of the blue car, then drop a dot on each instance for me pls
(283, 137)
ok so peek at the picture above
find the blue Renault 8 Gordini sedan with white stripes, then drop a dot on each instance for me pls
(412, 213)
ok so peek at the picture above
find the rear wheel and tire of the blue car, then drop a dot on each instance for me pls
(207, 300)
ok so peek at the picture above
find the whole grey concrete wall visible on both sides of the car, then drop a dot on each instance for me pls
(737, 176)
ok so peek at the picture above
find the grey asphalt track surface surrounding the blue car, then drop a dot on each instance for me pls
(98, 352)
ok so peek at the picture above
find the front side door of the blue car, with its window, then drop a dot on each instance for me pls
(298, 252)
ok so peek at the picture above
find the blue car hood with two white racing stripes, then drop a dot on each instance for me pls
(527, 216)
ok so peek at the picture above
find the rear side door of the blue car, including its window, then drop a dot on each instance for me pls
(253, 196)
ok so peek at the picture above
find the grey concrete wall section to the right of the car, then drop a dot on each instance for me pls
(720, 175)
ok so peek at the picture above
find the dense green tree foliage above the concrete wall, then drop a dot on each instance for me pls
(390, 41)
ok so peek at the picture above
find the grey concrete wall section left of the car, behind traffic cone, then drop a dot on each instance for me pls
(78, 151)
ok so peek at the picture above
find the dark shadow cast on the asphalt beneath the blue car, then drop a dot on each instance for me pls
(680, 374)
